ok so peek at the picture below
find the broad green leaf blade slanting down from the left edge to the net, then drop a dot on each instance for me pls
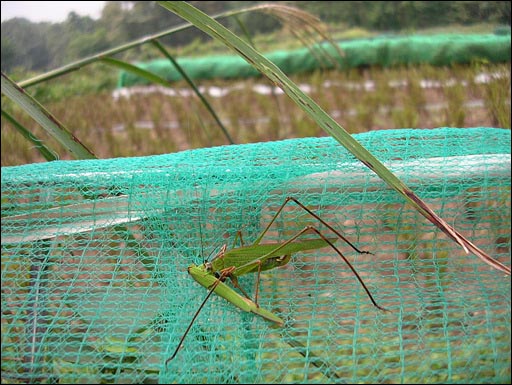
(45, 119)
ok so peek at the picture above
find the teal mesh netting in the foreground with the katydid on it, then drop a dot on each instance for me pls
(95, 254)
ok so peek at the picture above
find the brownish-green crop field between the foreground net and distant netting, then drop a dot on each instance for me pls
(152, 120)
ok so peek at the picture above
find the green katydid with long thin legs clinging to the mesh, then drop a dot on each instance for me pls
(257, 258)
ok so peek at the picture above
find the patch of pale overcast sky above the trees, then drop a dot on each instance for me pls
(53, 11)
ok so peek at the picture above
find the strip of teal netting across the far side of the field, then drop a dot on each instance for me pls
(384, 51)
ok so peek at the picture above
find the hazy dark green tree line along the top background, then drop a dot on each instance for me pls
(43, 46)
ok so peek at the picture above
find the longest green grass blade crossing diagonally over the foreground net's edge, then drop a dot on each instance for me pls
(271, 71)
